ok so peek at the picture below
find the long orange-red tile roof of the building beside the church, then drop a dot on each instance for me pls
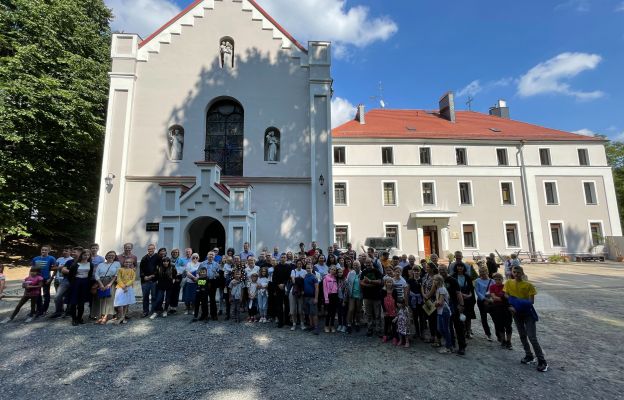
(469, 125)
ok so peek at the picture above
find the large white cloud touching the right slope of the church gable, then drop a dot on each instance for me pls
(331, 20)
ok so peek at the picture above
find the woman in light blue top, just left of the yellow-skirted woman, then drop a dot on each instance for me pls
(105, 276)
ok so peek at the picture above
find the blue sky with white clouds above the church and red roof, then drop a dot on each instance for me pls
(557, 63)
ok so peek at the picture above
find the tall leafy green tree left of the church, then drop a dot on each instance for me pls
(54, 58)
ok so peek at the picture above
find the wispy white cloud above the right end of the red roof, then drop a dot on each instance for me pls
(548, 76)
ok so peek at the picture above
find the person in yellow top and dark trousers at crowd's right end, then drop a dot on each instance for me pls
(521, 296)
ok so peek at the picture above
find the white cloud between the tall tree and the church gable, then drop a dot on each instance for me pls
(141, 16)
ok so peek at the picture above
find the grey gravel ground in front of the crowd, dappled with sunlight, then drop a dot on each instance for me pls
(582, 316)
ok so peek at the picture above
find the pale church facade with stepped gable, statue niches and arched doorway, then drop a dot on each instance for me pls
(217, 133)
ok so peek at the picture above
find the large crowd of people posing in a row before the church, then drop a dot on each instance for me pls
(394, 298)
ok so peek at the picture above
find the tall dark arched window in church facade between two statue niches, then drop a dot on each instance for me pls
(224, 136)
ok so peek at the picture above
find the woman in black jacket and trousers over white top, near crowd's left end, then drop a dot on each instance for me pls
(80, 276)
